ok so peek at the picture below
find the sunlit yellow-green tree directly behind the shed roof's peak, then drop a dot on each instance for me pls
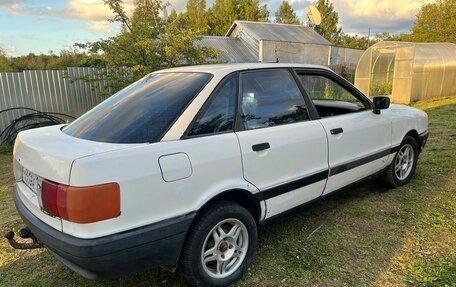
(223, 13)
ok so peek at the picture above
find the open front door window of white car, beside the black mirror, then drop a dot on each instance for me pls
(330, 98)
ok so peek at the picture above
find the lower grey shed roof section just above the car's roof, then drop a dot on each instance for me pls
(231, 49)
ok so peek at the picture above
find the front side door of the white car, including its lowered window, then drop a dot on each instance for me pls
(359, 140)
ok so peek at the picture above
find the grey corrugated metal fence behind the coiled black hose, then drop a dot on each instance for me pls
(61, 91)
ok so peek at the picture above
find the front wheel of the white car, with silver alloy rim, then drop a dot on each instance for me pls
(403, 166)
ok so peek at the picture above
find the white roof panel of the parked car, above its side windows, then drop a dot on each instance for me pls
(223, 69)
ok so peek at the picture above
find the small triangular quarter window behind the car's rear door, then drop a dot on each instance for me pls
(218, 114)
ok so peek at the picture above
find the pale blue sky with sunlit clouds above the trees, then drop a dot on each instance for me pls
(40, 26)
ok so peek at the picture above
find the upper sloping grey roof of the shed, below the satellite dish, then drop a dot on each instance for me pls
(279, 32)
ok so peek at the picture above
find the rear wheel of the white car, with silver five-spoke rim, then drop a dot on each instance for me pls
(220, 245)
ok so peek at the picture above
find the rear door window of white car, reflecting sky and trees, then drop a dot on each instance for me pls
(271, 98)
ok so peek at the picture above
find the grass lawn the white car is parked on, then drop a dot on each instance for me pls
(367, 236)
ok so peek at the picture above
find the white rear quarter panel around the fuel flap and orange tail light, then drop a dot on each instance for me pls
(145, 196)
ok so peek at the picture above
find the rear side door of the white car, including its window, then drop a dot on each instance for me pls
(284, 151)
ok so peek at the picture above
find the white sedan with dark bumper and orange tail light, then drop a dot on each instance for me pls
(182, 166)
